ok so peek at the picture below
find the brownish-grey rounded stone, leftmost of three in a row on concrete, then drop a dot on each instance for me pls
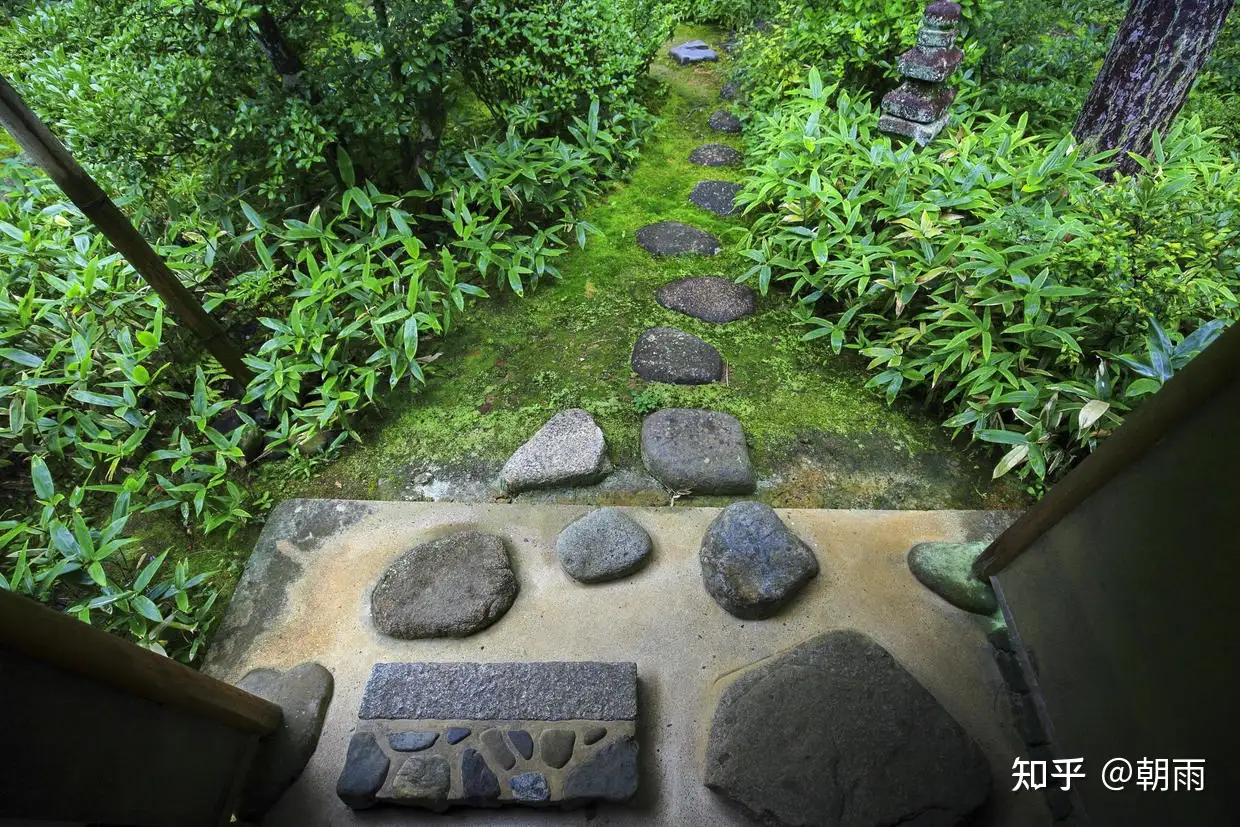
(451, 587)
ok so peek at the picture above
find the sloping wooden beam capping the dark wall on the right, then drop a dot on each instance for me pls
(1213, 370)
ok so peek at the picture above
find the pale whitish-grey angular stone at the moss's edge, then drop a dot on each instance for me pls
(569, 451)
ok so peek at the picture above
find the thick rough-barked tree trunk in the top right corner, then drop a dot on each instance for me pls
(1148, 75)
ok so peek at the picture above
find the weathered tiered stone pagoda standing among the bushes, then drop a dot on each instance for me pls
(919, 107)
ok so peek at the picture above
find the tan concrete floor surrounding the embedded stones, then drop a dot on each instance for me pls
(304, 597)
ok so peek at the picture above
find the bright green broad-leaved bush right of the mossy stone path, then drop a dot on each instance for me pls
(994, 273)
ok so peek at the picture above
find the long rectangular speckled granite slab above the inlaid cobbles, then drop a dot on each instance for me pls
(549, 691)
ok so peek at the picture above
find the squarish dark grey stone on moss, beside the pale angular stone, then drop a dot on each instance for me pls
(699, 452)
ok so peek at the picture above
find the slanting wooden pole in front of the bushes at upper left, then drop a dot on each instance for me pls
(49, 153)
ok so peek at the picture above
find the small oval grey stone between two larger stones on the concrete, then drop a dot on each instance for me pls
(603, 546)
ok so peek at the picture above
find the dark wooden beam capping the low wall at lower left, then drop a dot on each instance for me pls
(42, 634)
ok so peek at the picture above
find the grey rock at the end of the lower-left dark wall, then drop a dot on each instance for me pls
(303, 695)
